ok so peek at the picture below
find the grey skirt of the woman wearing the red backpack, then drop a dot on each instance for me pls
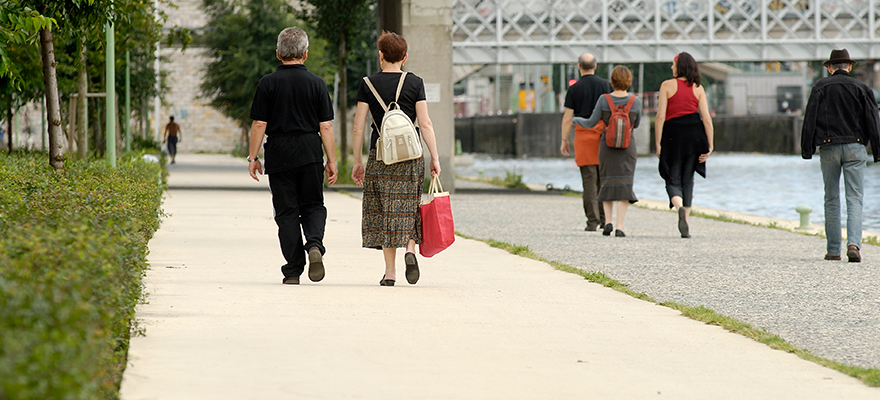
(617, 168)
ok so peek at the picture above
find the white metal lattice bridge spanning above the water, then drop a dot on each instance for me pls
(644, 31)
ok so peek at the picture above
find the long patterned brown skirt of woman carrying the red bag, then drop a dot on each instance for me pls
(392, 198)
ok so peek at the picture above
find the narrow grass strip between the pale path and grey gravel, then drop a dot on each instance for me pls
(870, 376)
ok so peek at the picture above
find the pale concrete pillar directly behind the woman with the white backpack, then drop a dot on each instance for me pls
(427, 27)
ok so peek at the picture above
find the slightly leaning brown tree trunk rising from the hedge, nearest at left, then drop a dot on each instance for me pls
(53, 105)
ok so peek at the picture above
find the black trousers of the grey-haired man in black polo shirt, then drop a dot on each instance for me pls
(298, 199)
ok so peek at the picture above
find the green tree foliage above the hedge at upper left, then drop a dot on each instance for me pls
(76, 23)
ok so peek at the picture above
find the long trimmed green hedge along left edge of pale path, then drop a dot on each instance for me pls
(73, 248)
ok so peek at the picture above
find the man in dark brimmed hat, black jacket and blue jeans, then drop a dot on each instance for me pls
(841, 118)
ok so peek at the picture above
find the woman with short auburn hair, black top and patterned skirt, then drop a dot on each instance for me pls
(392, 189)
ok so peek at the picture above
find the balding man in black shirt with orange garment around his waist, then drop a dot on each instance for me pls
(580, 101)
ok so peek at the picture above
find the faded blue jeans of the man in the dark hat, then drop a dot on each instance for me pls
(851, 158)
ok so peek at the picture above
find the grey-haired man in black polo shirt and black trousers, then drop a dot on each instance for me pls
(292, 109)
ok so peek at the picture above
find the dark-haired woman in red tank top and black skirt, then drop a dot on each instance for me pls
(683, 134)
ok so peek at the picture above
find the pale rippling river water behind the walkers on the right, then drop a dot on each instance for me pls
(764, 185)
